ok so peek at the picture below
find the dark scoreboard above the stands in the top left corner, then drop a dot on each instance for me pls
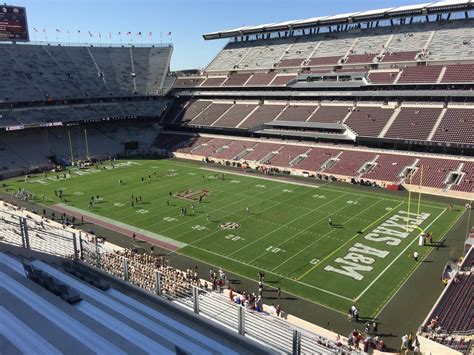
(13, 24)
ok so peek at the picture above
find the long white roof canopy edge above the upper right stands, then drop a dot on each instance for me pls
(371, 15)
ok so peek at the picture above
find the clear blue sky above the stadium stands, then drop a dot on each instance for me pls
(187, 20)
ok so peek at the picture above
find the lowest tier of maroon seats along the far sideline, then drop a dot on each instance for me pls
(396, 168)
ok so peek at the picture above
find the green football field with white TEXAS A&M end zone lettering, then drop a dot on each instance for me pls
(246, 223)
